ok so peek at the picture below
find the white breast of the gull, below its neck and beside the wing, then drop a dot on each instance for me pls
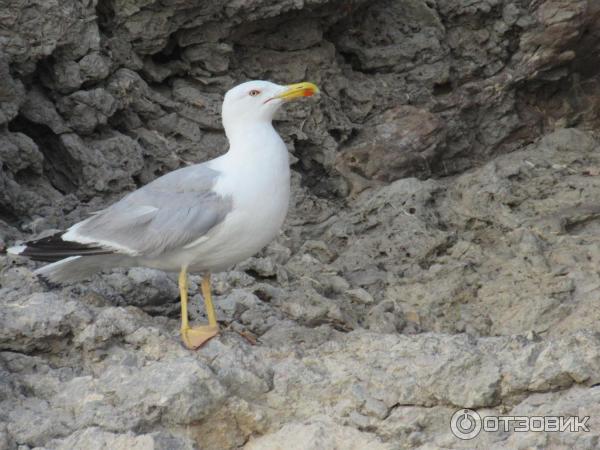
(258, 180)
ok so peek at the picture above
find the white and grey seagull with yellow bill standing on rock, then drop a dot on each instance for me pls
(202, 218)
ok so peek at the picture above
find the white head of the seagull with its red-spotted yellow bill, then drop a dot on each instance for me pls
(257, 101)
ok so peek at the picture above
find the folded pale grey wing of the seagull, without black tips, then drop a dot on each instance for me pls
(168, 213)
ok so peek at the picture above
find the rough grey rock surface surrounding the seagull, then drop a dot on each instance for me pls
(440, 252)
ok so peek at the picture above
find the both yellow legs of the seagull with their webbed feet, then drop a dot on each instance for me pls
(195, 337)
